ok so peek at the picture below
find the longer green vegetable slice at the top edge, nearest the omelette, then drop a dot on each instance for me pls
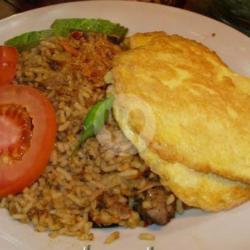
(64, 26)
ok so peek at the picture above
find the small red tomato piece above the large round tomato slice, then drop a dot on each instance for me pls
(8, 62)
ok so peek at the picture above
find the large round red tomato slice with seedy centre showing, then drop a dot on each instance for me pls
(27, 132)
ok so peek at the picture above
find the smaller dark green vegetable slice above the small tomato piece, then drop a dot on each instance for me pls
(29, 39)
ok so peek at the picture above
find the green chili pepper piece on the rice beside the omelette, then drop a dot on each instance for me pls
(95, 120)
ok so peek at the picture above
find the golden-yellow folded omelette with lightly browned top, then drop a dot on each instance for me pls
(187, 114)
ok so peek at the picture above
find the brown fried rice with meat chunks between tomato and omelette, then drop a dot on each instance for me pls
(105, 183)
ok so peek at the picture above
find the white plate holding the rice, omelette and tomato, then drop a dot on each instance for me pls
(194, 230)
